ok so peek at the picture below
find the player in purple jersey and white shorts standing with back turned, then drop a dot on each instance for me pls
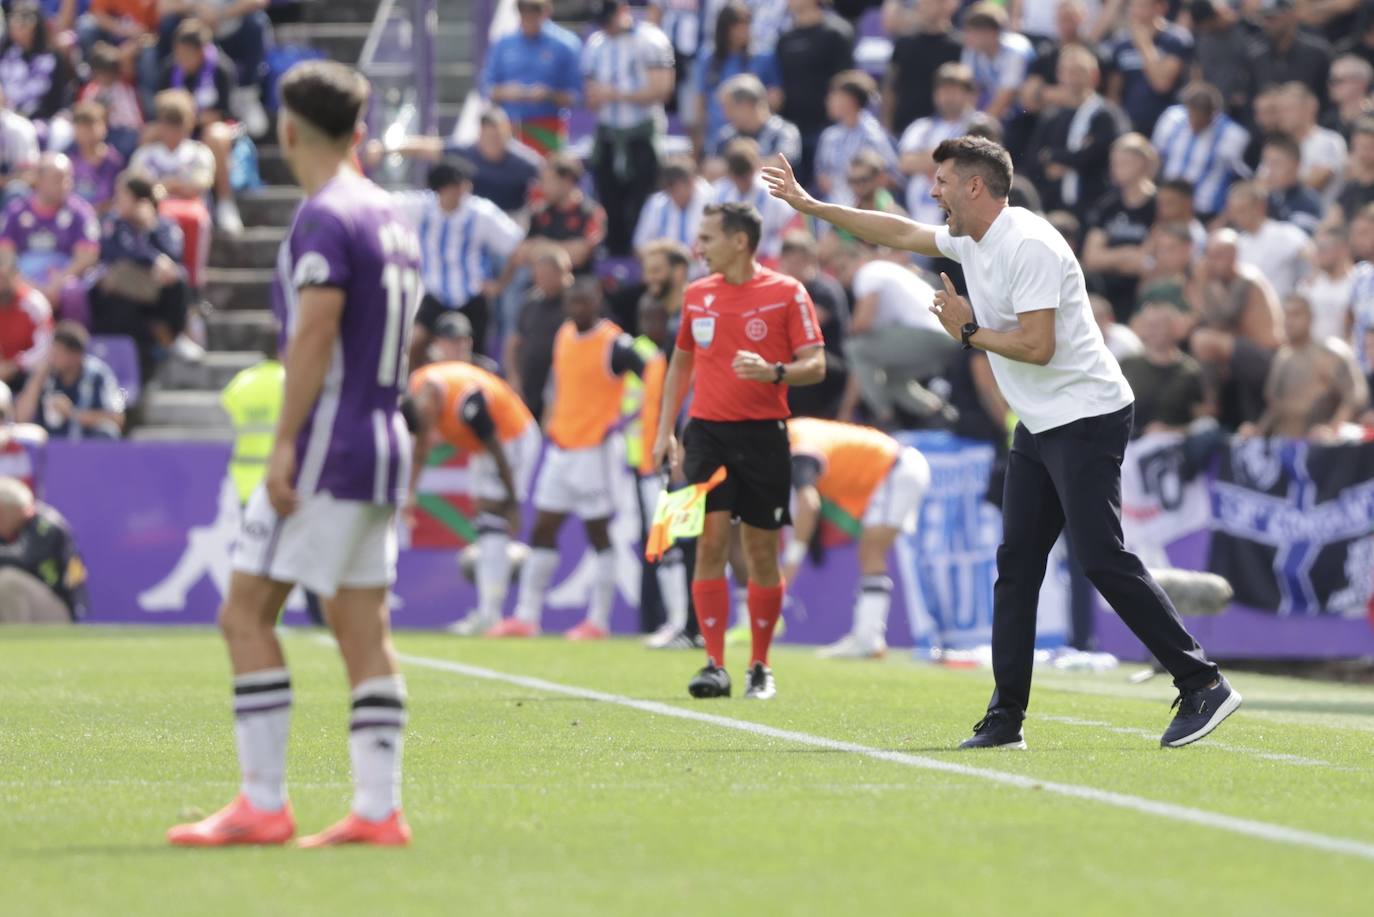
(325, 516)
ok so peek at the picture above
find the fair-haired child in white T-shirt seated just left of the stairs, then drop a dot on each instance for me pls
(186, 171)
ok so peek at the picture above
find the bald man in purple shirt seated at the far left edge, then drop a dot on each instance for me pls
(54, 234)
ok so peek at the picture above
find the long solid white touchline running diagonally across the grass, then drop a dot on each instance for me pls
(1244, 827)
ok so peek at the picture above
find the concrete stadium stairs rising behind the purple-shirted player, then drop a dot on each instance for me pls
(185, 402)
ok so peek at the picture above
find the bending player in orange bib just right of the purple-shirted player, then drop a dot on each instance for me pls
(477, 413)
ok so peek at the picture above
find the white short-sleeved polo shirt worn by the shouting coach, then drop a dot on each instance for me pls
(1023, 265)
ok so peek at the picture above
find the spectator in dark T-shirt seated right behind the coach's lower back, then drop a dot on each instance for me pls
(1170, 390)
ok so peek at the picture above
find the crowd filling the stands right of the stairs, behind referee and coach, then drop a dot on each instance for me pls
(1211, 162)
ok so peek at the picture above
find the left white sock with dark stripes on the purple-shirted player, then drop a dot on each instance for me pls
(262, 724)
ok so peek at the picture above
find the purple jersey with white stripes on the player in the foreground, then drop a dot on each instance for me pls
(355, 445)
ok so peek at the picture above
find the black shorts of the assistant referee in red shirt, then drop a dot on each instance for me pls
(758, 461)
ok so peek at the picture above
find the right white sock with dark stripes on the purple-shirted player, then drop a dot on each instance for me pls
(376, 733)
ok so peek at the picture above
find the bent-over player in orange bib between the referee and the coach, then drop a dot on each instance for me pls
(875, 479)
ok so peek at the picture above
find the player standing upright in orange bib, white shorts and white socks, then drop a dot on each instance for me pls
(592, 358)
